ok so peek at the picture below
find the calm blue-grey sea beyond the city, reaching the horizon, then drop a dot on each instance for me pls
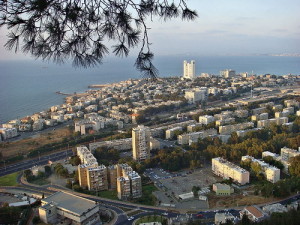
(30, 86)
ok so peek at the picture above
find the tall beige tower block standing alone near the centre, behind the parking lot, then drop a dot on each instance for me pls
(141, 143)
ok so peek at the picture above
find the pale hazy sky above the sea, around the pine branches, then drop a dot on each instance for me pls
(223, 27)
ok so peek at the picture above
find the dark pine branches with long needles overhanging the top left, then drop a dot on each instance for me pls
(79, 30)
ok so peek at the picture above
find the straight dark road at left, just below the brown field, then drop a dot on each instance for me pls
(42, 160)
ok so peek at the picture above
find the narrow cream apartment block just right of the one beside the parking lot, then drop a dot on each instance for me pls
(272, 173)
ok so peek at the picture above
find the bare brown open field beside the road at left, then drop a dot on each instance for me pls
(24, 146)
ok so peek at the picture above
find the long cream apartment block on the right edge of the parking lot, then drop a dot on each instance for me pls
(226, 169)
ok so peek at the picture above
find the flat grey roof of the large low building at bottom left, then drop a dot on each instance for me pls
(70, 202)
